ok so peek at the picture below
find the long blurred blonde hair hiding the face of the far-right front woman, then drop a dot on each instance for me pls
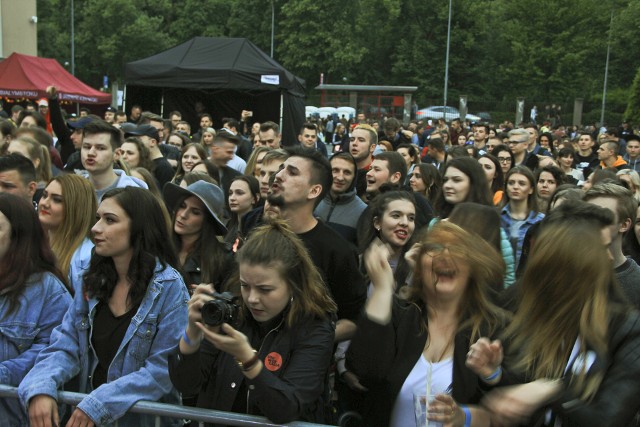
(565, 294)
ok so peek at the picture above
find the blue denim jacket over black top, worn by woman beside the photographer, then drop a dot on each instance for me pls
(139, 369)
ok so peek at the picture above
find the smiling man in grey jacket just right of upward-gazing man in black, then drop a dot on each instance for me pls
(341, 208)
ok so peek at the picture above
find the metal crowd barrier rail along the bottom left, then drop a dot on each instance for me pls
(163, 410)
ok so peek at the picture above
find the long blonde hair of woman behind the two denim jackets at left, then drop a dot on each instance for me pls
(79, 206)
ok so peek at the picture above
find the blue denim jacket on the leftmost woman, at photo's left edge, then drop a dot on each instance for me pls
(26, 331)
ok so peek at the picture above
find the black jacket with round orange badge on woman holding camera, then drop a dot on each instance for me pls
(292, 384)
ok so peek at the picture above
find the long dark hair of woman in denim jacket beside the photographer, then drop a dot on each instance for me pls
(149, 240)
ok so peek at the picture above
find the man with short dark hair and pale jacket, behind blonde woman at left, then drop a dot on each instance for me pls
(100, 141)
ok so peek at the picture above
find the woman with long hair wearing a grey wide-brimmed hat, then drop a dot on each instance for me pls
(197, 210)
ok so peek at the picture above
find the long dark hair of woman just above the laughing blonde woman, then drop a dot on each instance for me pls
(478, 187)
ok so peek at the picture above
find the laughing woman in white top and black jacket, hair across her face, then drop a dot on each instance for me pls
(399, 342)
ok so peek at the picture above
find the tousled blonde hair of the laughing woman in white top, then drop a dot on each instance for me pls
(486, 268)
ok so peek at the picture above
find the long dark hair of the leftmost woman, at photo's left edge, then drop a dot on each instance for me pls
(28, 252)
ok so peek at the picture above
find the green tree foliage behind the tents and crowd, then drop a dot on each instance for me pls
(547, 50)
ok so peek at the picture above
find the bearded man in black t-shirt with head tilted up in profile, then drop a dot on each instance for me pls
(303, 180)
